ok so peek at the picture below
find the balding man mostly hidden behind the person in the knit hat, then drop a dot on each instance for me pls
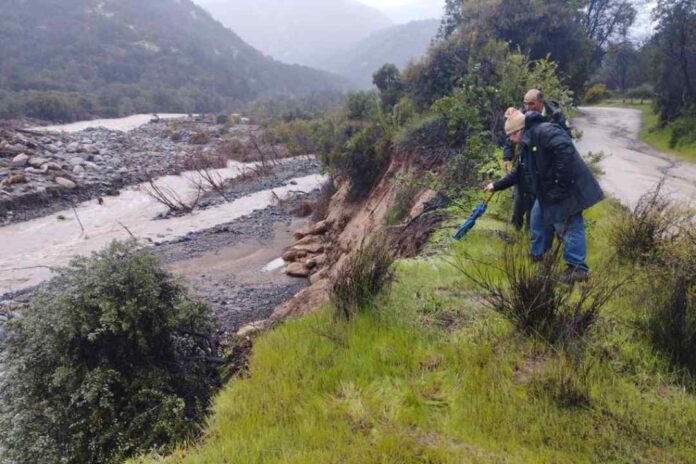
(523, 199)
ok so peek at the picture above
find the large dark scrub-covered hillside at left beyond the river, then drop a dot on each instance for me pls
(67, 59)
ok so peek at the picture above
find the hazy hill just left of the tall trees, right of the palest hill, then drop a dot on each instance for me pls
(397, 45)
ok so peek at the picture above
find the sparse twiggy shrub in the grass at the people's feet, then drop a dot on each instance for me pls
(534, 298)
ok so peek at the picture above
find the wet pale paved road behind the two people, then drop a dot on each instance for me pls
(632, 167)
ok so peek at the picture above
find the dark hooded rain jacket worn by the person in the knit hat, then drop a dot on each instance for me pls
(563, 183)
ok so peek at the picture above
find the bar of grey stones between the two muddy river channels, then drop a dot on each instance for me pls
(43, 172)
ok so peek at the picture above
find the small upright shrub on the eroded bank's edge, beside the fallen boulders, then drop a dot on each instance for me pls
(361, 278)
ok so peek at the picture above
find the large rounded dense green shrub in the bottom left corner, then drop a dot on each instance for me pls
(111, 358)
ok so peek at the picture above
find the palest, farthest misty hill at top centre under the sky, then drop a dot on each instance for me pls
(299, 31)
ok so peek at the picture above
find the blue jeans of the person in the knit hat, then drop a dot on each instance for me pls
(572, 232)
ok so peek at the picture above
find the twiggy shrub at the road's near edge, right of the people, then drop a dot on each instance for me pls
(650, 228)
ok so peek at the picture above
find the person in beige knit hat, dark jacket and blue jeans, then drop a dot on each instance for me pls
(563, 184)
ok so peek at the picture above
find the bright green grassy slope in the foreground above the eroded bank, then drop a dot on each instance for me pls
(430, 376)
